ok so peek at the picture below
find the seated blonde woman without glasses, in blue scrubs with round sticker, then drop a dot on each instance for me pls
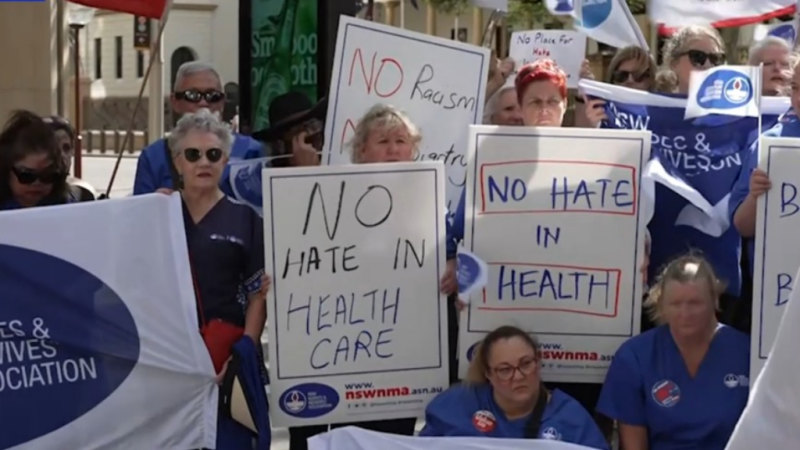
(684, 384)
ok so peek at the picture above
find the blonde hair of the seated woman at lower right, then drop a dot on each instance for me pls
(684, 269)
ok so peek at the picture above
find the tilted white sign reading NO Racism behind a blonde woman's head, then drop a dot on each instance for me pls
(439, 83)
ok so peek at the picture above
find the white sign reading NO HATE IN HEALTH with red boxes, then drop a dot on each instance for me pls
(556, 215)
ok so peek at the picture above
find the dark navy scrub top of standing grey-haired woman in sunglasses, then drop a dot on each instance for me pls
(226, 250)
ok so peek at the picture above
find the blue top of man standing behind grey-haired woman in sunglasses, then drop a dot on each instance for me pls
(152, 169)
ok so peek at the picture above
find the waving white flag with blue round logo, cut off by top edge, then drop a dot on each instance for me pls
(609, 22)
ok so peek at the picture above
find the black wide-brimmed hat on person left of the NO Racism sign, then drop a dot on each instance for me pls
(288, 110)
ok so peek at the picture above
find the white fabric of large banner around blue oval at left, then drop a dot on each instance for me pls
(137, 247)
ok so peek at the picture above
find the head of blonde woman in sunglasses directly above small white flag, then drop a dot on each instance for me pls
(694, 47)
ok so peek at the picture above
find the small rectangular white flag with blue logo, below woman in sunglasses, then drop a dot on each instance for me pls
(729, 90)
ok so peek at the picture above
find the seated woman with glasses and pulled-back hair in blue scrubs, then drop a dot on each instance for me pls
(505, 398)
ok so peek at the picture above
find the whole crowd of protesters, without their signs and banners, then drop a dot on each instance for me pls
(667, 388)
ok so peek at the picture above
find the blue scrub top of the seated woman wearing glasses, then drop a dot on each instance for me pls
(470, 410)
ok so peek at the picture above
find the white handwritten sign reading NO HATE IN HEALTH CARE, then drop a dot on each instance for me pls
(357, 326)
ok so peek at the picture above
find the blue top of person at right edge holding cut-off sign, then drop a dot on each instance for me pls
(788, 126)
